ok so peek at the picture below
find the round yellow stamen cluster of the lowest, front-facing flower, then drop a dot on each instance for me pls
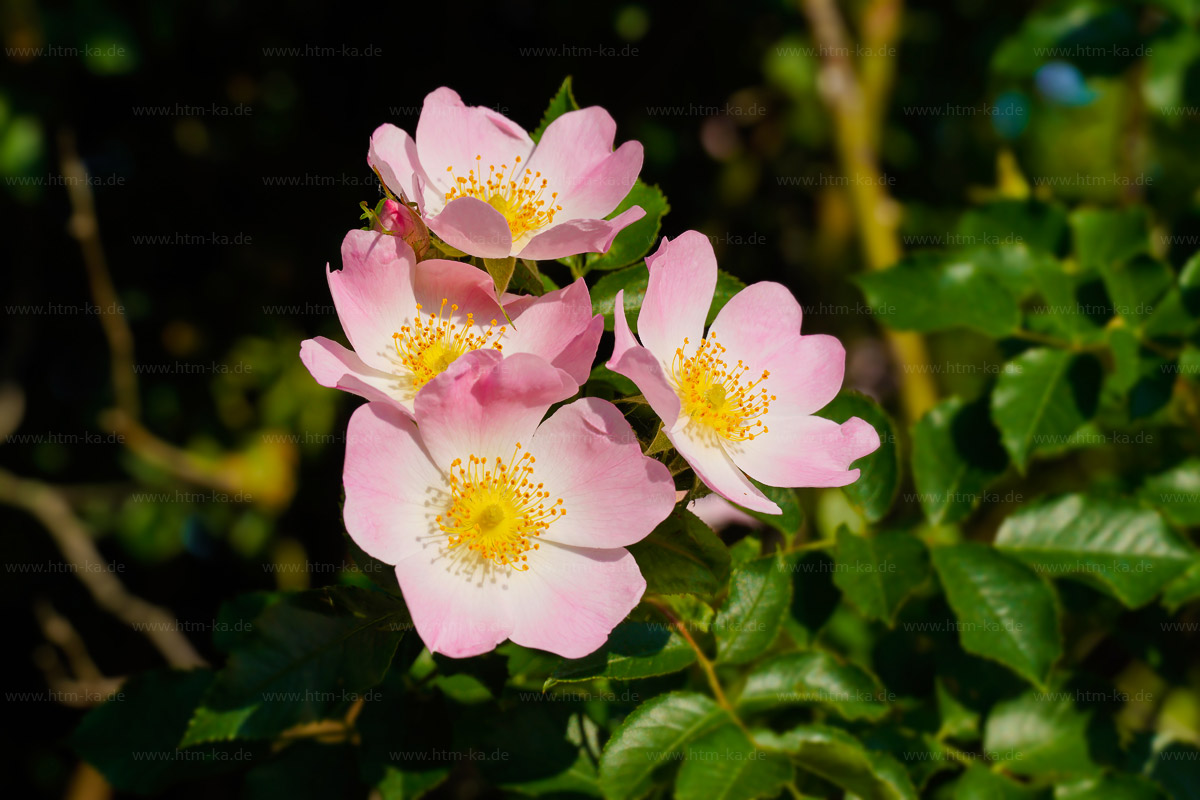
(497, 512)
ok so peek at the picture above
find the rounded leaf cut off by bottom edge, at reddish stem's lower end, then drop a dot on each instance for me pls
(724, 765)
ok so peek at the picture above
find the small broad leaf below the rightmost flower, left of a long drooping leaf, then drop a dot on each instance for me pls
(878, 574)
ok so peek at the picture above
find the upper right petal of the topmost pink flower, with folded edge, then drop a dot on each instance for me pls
(577, 159)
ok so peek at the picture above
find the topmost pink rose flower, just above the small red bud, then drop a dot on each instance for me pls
(488, 190)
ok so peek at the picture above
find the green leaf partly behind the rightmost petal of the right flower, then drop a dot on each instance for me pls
(879, 479)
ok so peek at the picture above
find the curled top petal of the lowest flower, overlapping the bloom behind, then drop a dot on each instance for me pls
(484, 405)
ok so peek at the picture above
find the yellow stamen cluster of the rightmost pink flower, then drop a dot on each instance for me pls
(712, 394)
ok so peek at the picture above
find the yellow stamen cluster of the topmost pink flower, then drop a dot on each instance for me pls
(518, 195)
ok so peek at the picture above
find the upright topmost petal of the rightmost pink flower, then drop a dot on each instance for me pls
(683, 279)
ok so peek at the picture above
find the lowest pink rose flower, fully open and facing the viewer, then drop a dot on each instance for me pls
(501, 526)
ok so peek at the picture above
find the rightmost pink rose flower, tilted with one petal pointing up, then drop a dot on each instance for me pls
(740, 401)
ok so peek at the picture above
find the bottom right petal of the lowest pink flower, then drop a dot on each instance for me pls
(572, 599)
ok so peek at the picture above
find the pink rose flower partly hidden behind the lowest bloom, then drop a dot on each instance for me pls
(409, 321)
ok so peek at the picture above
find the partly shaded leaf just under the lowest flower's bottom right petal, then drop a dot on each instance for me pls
(635, 649)
